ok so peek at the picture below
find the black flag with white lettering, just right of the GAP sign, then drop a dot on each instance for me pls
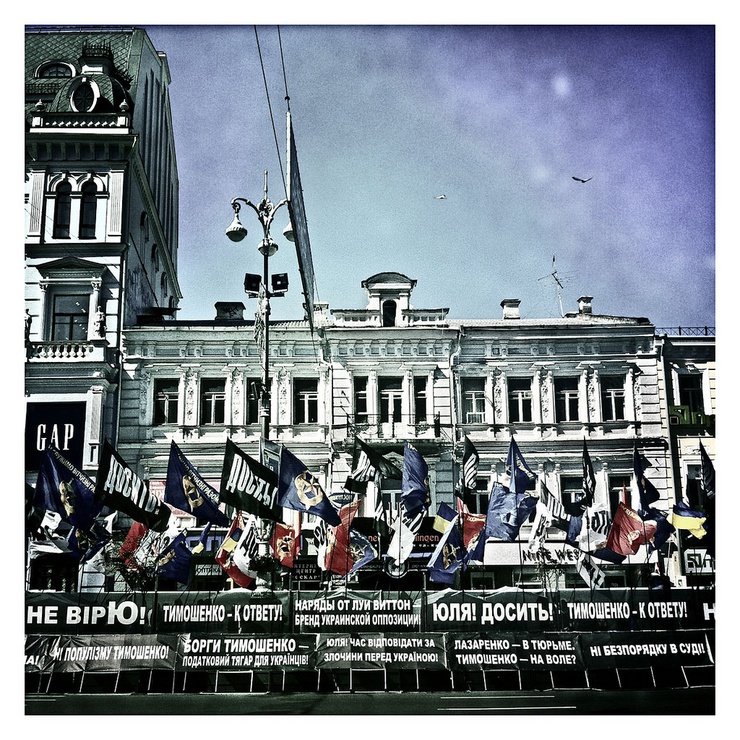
(118, 487)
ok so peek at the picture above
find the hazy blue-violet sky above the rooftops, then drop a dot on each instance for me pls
(499, 119)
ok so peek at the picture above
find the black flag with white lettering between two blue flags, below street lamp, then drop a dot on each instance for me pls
(248, 485)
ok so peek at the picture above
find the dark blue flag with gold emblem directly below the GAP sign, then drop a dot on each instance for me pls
(62, 488)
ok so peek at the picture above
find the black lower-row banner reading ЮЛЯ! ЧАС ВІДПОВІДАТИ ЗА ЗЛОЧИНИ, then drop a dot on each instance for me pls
(423, 651)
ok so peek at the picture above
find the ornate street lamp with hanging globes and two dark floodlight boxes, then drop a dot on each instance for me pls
(257, 287)
